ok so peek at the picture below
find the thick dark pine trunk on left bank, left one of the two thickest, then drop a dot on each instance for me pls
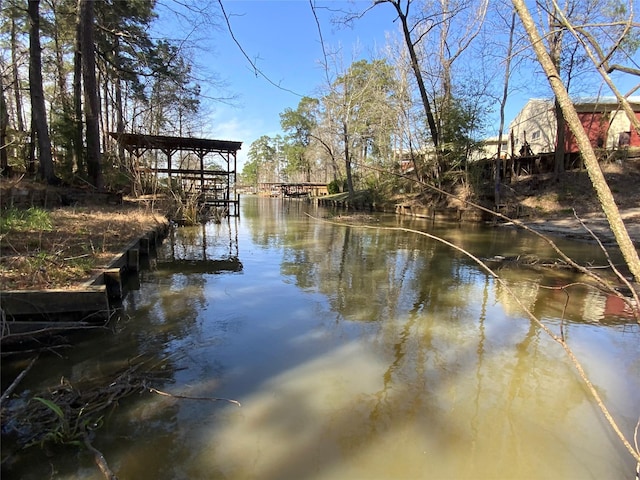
(38, 109)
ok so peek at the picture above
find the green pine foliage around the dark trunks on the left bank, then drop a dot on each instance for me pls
(144, 82)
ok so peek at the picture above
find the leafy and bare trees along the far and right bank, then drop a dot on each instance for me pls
(426, 101)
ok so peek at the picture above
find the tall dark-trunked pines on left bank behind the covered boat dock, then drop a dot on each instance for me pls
(74, 71)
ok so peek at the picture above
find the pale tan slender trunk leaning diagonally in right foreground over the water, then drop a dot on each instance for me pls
(600, 185)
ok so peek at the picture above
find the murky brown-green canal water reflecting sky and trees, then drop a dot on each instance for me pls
(354, 353)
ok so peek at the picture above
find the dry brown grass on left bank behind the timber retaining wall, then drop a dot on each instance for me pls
(79, 242)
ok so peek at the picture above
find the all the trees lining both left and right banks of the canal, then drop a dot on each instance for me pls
(73, 71)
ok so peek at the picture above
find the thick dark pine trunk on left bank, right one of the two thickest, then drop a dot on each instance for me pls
(91, 101)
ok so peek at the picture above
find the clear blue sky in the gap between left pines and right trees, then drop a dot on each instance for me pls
(281, 37)
